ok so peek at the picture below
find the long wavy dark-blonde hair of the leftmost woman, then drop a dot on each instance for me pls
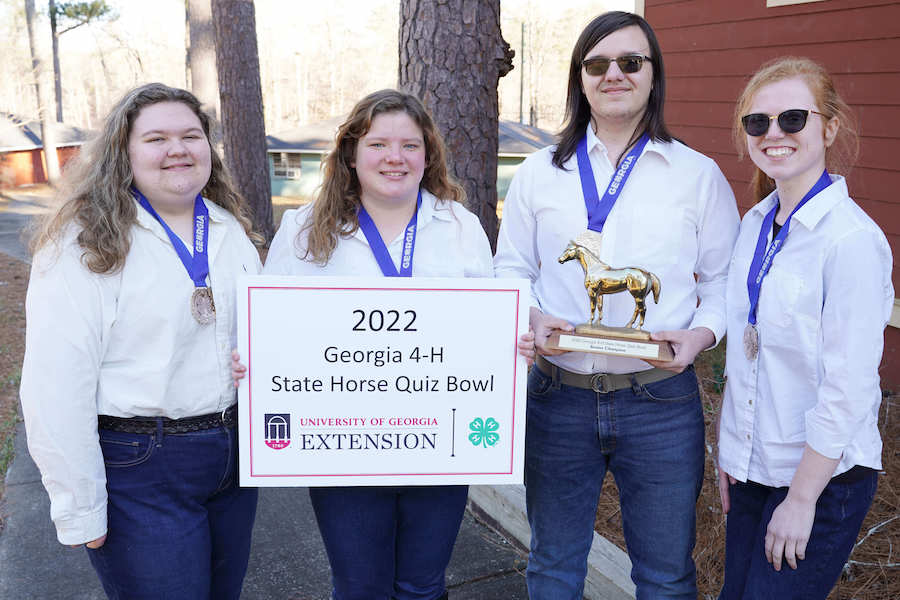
(95, 194)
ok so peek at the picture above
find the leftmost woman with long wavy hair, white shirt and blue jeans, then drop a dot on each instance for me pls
(126, 385)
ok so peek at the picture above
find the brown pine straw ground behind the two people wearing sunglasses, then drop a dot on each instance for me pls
(873, 571)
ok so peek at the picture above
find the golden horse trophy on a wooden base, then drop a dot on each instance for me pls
(599, 279)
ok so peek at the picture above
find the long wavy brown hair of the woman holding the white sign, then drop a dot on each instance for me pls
(337, 202)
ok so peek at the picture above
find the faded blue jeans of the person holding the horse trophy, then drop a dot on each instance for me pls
(651, 439)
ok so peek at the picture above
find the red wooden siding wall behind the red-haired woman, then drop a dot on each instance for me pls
(711, 47)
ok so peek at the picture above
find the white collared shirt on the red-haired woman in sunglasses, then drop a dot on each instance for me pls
(822, 311)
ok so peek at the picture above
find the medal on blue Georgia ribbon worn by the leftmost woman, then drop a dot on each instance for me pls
(201, 304)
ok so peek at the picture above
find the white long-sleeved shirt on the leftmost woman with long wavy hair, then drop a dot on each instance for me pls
(122, 344)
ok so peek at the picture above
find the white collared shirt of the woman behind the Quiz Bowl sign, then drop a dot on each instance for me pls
(450, 242)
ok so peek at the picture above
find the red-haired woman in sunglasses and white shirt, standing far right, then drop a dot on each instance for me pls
(809, 294)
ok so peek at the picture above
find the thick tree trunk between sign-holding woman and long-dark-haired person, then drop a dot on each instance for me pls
(452, 54)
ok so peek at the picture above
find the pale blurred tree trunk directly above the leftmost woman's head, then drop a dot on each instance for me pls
(201, 55)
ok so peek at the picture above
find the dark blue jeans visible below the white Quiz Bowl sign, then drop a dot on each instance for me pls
(388, 543)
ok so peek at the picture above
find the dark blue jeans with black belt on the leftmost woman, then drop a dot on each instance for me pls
(178, 524)
